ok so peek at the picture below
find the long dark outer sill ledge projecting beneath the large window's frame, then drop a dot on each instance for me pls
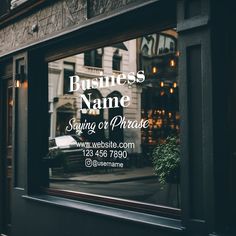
(127, 215)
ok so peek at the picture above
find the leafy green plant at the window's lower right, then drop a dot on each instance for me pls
(166, 160)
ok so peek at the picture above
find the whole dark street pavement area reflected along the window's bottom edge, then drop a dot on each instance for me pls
(138, 184)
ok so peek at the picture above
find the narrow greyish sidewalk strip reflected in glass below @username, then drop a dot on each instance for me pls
(120, 175)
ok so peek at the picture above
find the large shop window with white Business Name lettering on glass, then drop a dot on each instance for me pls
(116, 132)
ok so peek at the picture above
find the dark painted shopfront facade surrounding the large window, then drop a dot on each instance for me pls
(206, 72)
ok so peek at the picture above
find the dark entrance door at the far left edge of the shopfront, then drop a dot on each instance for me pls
(6, 105)
